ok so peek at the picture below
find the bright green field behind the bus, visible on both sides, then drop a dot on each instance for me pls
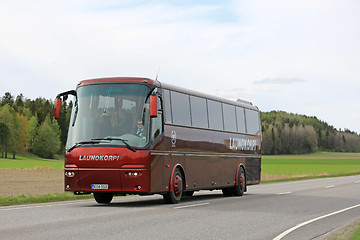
(316, 164)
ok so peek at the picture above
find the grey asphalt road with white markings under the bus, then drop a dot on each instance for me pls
(294, 210)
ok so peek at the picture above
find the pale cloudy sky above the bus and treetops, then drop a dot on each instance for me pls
(299, 56)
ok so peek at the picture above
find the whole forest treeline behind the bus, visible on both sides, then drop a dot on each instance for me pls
(29, 126)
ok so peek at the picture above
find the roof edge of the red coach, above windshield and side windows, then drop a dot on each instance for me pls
(238, 102)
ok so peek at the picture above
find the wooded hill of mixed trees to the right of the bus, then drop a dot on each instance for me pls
(288, 133)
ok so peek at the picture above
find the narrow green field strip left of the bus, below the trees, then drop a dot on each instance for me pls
(29, 161)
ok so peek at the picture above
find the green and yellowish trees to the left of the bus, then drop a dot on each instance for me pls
(28, 125)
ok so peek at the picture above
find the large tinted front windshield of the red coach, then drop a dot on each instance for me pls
(110, 114)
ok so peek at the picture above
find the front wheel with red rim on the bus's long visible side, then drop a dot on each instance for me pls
(175, 195)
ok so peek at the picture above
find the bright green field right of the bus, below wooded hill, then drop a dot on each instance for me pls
(316, 164)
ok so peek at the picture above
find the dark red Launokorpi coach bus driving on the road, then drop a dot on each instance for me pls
(141, 136)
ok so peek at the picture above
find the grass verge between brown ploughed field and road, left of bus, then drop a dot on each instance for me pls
(28, 199)
